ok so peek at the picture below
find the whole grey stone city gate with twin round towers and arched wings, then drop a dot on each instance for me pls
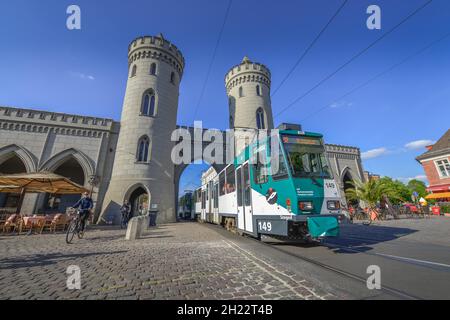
(131, 159)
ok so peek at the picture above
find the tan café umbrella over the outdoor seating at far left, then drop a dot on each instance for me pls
(38, 182)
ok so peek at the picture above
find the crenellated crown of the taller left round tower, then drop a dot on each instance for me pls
(156, 47)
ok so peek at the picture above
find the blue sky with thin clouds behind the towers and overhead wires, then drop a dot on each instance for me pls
(45, 66)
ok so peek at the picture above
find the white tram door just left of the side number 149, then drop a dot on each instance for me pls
(244, 202)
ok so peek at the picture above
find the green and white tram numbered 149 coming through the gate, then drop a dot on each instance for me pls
(300, 200)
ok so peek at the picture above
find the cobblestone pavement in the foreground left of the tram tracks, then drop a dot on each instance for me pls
(176, 261)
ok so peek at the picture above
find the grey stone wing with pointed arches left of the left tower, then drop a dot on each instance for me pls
(79, 147)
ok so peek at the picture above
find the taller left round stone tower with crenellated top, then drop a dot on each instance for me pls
(143, 169)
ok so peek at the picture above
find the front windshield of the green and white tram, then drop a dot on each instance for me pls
(306, 156)
